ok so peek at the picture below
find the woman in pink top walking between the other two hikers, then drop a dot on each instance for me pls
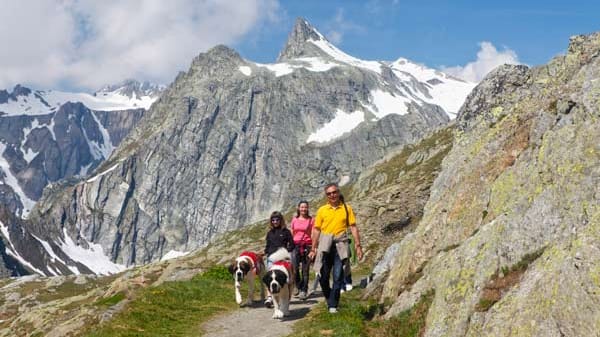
(301, 227)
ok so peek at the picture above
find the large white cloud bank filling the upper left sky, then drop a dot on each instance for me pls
(87, 43)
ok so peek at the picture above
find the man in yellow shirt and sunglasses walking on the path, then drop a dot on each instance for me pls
(331, 242)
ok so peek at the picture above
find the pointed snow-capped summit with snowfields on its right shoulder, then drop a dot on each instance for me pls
(402, 82)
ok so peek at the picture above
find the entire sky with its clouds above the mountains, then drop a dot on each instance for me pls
(85, 44)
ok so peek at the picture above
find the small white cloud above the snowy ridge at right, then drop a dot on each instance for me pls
(488, 58)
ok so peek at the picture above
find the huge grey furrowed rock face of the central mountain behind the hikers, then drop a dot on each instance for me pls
(226, 144)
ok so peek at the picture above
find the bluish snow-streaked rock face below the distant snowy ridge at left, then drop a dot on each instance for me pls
(40, 149)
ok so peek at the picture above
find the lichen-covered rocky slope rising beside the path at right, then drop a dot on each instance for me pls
(523, 175)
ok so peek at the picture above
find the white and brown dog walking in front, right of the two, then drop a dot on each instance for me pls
(279, 280)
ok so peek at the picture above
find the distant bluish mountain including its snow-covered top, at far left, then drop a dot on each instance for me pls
(50, 135)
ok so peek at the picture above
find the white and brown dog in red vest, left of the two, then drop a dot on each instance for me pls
(247, 266)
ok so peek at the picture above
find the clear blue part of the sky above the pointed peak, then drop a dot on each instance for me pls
(436, 33)
